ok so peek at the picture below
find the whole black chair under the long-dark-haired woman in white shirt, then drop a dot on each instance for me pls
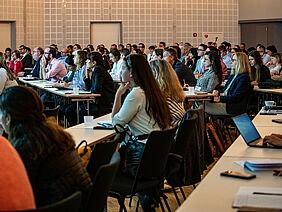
(150, 172)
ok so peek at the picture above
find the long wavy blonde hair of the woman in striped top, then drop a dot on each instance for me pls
(167, 79)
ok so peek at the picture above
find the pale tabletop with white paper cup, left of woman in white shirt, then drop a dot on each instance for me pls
(92, 136)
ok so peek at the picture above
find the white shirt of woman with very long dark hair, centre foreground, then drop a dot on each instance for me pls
(133, 114)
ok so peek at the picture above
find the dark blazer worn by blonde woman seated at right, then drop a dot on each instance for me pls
(237, 96)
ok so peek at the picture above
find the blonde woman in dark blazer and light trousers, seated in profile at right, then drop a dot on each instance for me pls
(235, 95)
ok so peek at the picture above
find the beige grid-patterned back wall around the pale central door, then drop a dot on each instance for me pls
(68, 22)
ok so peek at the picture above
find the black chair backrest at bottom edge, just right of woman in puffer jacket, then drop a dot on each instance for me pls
(102, 184)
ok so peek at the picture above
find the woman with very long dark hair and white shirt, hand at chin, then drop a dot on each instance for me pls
(144, 109)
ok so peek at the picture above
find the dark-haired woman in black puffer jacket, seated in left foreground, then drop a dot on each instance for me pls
(48, 152)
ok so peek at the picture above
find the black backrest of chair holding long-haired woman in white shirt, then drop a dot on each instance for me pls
(153, 160)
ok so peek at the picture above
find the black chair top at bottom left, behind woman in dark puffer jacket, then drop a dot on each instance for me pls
(69, 204)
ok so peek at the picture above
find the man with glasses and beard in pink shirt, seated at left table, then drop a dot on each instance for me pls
(55, 70)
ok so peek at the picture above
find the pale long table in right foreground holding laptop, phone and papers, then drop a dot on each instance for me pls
(215, 193)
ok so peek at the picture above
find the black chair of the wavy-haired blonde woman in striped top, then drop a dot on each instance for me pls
(183, 167)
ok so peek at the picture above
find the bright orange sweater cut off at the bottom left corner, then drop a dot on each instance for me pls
(15, 189)
